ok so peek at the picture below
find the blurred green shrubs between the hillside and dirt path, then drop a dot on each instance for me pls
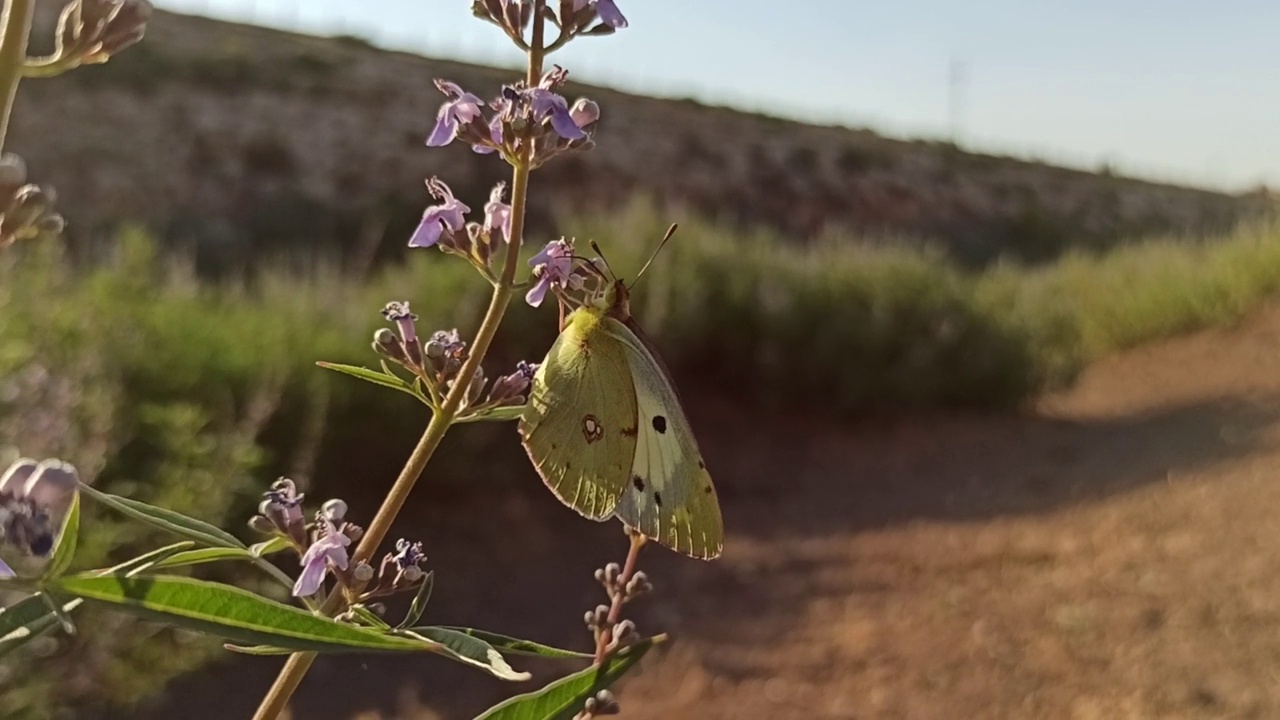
(193, 394)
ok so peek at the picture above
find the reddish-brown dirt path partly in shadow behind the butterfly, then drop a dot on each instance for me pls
(1113, 555)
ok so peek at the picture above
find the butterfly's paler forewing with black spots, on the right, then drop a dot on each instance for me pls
(669, 495)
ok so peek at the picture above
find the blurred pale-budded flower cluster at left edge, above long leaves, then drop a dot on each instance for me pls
(34, 503)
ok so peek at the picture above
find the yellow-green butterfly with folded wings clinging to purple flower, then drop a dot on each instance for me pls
(607, 434)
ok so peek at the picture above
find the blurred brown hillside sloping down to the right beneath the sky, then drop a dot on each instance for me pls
(232, 138)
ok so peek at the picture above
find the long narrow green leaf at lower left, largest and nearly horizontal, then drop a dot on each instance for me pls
(231, 613)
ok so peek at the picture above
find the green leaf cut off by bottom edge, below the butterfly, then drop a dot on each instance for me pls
(564, 699)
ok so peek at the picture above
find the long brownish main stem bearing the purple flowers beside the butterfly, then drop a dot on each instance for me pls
(298, 666)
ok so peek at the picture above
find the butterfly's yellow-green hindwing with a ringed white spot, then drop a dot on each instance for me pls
(579, 426)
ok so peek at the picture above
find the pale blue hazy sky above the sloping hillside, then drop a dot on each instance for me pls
(1185, 92)
